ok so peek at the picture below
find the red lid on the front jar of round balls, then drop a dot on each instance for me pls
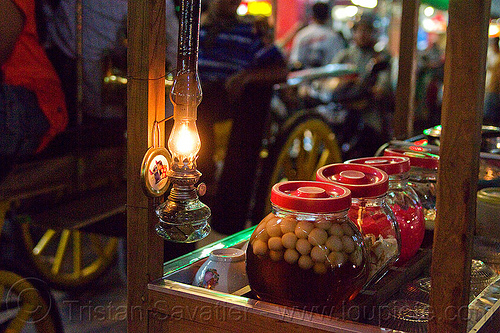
(311, 196)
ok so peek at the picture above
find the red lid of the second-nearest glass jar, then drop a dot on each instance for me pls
(364, 181)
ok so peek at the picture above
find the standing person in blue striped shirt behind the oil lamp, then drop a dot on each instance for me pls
(237, 68)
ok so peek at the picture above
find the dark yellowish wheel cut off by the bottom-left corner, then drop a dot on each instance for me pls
(26, 302)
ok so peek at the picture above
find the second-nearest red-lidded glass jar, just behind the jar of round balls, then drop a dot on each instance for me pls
(369, 211)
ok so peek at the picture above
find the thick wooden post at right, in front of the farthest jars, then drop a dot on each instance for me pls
(459, 163)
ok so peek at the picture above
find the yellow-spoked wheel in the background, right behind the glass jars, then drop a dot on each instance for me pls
(305, 144)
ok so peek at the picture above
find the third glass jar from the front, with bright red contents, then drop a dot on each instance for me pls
(403, 201)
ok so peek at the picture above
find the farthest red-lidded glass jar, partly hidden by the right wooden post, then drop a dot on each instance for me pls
(423, 179)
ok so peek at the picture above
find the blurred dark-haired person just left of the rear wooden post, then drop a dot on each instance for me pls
(375, 84)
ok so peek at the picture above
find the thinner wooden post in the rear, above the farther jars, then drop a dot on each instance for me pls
(405, 91)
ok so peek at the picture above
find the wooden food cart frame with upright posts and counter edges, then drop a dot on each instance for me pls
(158, 305)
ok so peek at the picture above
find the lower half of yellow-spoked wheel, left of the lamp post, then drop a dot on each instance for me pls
(68, 258)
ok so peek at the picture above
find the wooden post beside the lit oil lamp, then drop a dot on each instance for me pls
(145, 103)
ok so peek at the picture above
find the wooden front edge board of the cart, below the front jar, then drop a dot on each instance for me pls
(219, 312)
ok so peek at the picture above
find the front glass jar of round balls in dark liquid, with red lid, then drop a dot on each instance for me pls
(307, 252)
